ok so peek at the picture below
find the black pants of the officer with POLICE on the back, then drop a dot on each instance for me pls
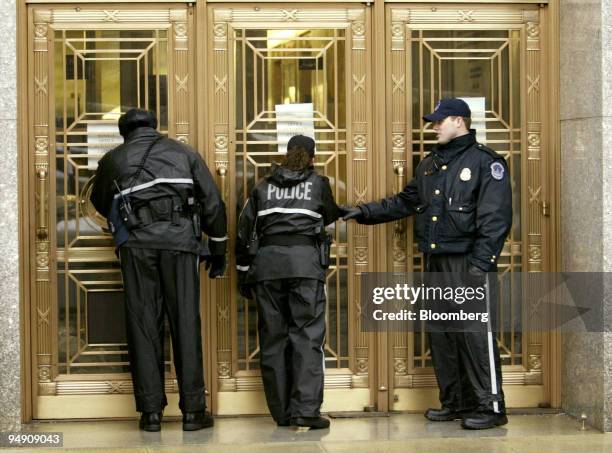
(291, 336)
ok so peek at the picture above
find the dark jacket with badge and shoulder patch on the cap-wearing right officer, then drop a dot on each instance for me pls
(462, 198)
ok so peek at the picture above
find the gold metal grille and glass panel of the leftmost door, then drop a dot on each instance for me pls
(98, 75)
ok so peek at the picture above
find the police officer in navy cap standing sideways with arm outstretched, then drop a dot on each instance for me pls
(462, 199)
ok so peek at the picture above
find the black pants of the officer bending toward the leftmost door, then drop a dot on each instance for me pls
(158, 281)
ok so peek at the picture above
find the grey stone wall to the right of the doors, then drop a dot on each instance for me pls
(586, 194)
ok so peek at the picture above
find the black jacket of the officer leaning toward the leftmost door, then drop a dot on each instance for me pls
(173, 171)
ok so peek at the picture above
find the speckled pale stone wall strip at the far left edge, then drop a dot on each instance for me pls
(10, 397)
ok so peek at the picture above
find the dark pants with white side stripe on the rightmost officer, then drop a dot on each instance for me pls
(466, 361)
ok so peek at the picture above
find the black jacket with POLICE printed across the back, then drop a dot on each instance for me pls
(285, 203)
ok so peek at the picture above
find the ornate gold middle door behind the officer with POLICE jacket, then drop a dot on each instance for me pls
(265, 61)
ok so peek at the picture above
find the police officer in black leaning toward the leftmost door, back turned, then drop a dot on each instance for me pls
(162, 188)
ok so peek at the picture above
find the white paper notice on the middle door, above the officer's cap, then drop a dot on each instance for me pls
(293, 119)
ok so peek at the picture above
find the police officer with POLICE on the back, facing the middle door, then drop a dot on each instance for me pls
(284, 219)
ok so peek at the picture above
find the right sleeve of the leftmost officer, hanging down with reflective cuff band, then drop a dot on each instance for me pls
(214, 217)
